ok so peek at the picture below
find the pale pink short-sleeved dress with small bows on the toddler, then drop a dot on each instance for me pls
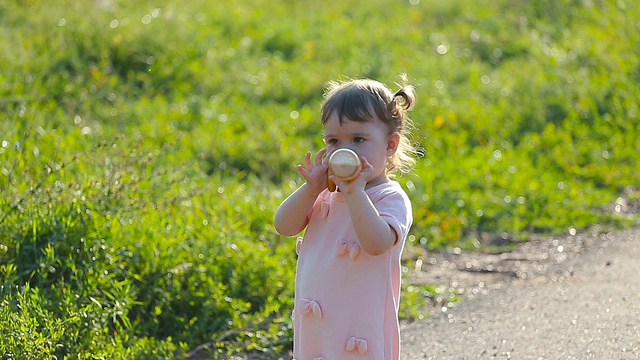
(346, 301)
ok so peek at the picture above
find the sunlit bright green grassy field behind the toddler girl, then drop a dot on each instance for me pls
(144, 147)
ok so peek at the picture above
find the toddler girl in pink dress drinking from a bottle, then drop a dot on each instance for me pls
(348, 272)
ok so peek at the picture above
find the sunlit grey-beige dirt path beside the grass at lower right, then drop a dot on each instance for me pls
(576, 297)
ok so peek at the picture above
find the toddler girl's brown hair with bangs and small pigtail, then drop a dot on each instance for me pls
(361, 99)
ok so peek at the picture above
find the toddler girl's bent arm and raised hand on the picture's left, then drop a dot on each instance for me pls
(291, 216)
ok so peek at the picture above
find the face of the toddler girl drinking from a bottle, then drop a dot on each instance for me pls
(370, 139)
